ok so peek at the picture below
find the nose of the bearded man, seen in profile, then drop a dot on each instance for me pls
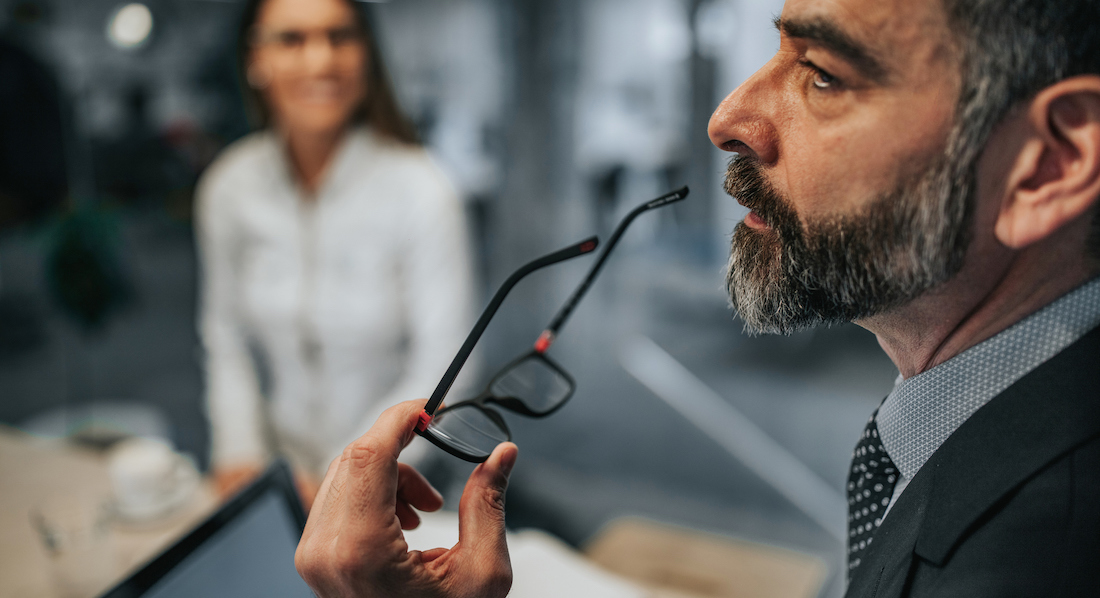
(745, 121)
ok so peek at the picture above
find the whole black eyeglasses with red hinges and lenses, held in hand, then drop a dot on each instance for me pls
(532, 385)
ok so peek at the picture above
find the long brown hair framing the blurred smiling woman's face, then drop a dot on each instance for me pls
(380, 110)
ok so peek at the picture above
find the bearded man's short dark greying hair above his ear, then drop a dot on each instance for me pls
(1013, 51)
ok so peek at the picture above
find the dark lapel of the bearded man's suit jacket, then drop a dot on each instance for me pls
(1038, 419)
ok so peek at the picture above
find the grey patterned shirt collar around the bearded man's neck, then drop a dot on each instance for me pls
(925, 411)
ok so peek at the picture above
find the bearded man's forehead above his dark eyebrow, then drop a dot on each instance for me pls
(892, 29)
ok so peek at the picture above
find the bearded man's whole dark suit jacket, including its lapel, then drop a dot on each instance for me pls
(1010, 504)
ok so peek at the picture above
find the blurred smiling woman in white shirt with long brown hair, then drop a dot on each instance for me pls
(335, 254)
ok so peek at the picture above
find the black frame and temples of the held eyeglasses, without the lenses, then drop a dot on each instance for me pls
(483, 401)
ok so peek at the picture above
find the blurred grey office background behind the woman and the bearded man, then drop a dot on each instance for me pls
(554, 118)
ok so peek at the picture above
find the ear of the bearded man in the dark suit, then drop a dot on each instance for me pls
(1057, 176)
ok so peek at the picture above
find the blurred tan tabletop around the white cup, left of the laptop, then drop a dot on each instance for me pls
(36, 470)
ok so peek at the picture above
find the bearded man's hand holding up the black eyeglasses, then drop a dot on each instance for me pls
(354, 544)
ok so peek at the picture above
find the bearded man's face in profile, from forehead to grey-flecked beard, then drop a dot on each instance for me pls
(843, 141)
